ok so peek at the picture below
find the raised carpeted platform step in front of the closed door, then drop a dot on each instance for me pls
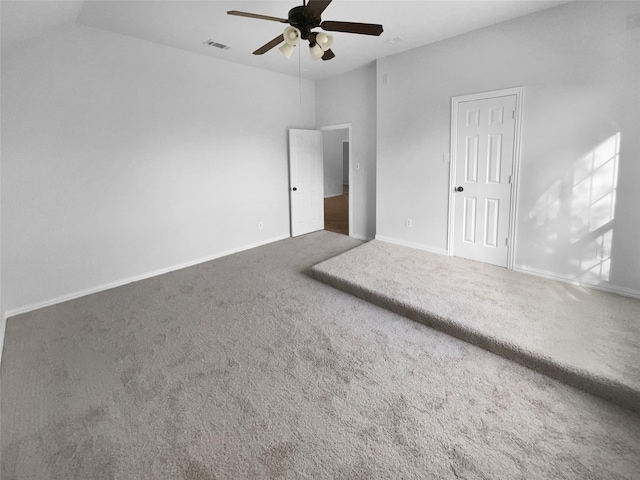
(587, 338)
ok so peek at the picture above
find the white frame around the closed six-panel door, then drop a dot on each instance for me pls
(515, 175)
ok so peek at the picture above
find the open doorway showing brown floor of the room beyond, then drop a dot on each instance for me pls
(337, 178)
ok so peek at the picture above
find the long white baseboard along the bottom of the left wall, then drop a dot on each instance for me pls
(137, 278)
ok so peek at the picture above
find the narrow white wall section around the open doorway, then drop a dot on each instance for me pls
(351, 98)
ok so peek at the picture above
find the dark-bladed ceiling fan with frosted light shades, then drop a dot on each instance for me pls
(302, 20)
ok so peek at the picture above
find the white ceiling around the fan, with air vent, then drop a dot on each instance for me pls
(187, 24)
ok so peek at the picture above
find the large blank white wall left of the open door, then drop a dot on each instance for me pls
(121, 158)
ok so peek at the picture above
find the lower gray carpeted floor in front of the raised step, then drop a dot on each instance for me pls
(246, 367)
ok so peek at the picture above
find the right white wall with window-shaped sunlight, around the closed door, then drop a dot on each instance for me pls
(580, 66)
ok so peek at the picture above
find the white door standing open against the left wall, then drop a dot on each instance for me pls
(306, 181)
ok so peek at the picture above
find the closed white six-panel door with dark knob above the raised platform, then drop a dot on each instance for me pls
(483, 173)
